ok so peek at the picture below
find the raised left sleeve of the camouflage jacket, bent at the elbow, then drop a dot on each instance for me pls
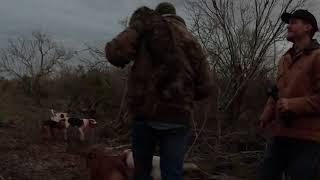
(122, 49)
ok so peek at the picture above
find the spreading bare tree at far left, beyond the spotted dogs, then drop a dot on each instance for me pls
(32, 60)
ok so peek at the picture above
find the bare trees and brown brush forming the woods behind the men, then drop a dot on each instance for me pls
(243, 41)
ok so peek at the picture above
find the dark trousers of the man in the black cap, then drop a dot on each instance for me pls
(298, 158)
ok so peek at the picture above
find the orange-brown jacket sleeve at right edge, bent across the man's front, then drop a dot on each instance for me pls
(309, 104)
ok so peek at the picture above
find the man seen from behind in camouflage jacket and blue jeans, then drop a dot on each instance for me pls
(169, 73)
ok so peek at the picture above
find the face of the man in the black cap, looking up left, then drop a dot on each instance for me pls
(297, 29)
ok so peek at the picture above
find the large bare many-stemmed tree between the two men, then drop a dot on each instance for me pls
(238, 37)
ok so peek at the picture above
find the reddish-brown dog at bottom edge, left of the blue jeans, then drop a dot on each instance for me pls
(103, 165)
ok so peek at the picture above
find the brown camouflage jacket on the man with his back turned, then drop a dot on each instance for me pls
(184, 73)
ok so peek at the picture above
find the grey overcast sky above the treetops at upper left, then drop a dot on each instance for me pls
(69, 21)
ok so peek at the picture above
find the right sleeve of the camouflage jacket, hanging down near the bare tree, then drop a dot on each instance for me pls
(203, 86)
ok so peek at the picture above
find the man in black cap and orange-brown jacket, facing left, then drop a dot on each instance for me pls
(294, 118)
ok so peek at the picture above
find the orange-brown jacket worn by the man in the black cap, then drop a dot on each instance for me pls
(298, 80)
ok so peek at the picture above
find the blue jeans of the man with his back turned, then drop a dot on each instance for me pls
(172, 142)
